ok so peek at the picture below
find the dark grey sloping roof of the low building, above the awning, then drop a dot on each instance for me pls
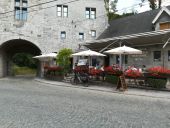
(138, 23)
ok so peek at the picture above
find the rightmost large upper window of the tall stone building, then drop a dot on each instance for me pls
(90, 13)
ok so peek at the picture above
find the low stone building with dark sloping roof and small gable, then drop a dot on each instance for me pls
(148, 31)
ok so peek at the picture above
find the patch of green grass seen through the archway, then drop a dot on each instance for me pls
(23, 70)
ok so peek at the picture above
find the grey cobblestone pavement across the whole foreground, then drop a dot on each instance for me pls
(25, 103)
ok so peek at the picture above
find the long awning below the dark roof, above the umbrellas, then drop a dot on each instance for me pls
(134, 40)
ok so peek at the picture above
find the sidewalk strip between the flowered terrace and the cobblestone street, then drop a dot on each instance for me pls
(130, 91)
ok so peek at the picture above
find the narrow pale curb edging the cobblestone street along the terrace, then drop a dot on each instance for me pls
(109, 91)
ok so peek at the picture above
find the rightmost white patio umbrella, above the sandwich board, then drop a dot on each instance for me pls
(124, 50)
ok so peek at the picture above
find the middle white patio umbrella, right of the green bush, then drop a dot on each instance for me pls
(88, 53)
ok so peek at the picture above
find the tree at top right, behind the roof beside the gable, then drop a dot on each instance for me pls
(154, 4)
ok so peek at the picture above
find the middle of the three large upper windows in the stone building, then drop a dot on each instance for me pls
(62, 10)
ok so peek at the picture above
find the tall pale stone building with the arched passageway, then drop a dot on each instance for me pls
(44, 26)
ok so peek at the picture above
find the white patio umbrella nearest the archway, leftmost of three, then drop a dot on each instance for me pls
(46, 57)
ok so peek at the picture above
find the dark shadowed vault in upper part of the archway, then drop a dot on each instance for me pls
(19, 46)
